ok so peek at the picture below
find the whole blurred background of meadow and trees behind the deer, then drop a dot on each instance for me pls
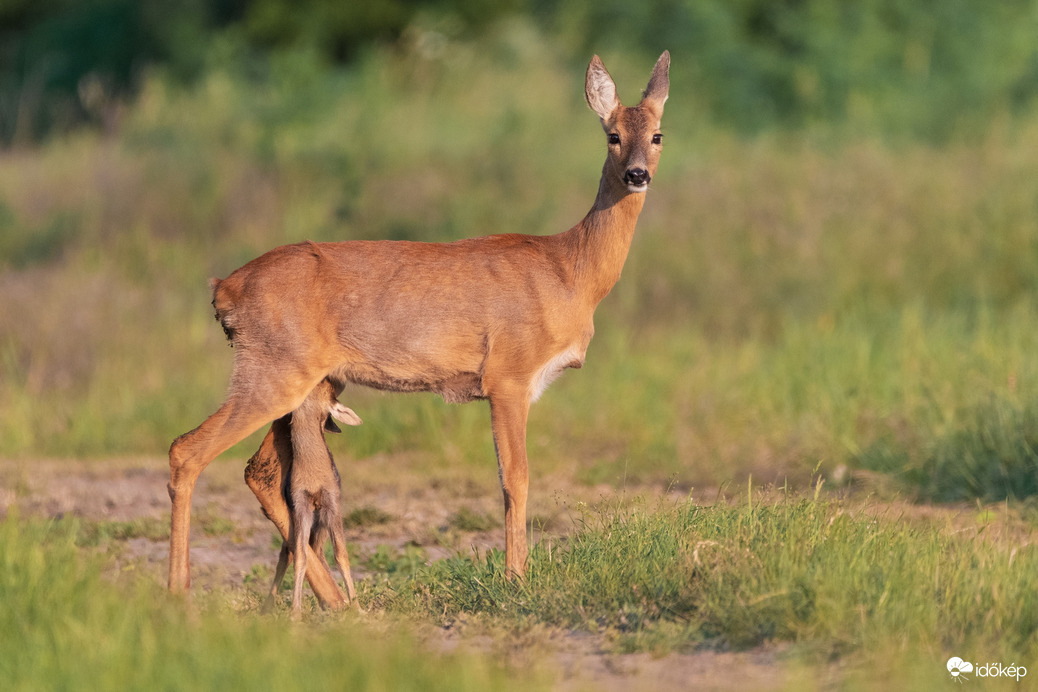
(835, 270)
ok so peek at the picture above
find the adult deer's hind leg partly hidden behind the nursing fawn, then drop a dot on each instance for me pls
(265, 476)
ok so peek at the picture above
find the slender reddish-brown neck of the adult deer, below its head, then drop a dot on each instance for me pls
(604, 238)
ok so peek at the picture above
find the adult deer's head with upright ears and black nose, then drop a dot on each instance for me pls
(633, 134)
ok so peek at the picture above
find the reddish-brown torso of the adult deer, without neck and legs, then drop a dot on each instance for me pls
(407, 316)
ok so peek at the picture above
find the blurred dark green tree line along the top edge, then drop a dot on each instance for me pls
(928, 69)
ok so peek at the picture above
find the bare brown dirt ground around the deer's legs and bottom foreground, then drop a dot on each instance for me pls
(418, 512)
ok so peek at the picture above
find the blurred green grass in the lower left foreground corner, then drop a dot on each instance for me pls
(65, 627)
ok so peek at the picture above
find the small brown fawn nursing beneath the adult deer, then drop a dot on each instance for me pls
(312, 490)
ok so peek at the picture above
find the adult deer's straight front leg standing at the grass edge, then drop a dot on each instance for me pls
(509, 421)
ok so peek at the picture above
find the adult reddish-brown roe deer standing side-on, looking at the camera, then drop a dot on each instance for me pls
(496, 318)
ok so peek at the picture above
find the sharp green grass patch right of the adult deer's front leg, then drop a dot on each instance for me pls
(834, 578)
